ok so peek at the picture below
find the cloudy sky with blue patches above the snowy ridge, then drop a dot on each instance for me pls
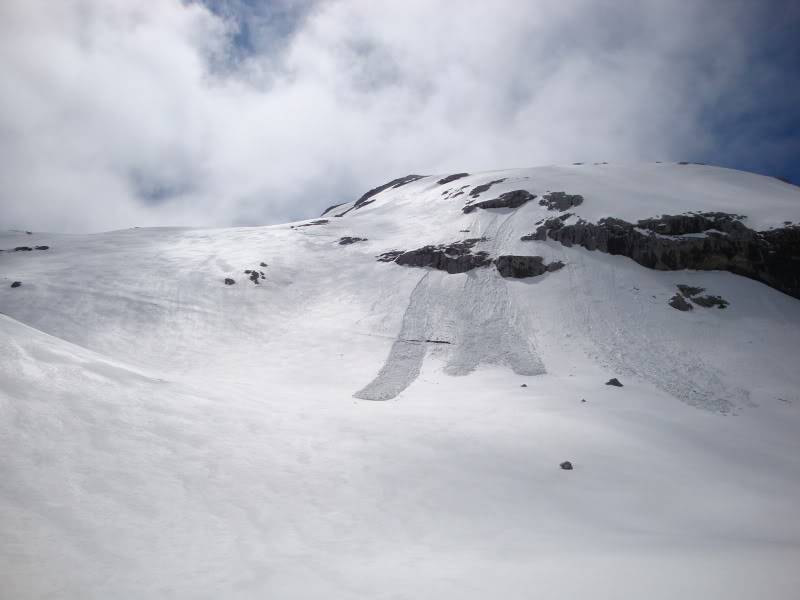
(122, 113)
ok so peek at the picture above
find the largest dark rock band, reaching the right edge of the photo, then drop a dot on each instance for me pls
(701, 241)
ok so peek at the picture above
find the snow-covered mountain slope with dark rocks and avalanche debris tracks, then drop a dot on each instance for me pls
(191, 413)
